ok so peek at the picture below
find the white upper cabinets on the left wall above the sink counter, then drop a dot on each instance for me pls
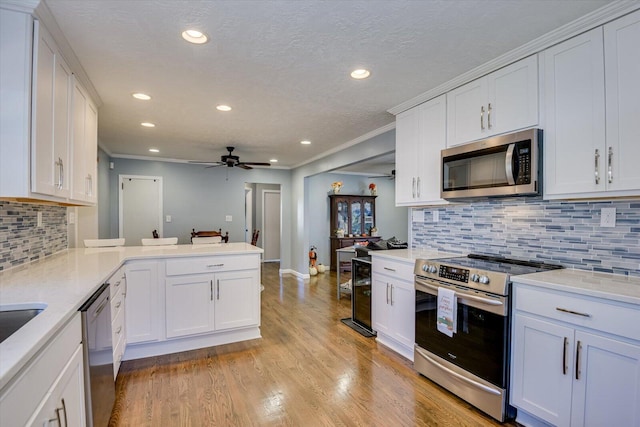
(37, 126)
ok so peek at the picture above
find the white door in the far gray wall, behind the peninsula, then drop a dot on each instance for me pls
(140, 207)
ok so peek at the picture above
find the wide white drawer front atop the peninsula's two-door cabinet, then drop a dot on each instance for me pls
(197, 265)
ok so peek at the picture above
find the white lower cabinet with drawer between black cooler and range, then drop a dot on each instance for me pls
(393, 305)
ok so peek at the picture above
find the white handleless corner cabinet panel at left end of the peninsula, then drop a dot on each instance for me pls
(143, 314)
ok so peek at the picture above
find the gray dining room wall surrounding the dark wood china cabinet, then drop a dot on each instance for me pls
(390, 220)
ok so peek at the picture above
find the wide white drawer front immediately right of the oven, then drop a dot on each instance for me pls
(602, 315)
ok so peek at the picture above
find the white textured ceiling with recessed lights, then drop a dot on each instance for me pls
(282, 65)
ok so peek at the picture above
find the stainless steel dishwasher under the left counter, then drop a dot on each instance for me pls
(99, 384)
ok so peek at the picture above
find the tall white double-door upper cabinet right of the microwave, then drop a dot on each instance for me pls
(592, 104)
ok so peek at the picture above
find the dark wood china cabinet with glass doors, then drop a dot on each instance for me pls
(355, 215)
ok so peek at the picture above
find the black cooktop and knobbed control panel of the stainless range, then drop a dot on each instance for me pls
(490, 274)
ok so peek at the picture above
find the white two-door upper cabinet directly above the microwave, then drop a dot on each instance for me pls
(503, 101)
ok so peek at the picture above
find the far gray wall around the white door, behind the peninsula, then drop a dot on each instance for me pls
(199, 197)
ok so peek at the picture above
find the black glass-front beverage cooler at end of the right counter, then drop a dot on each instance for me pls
(360, 319)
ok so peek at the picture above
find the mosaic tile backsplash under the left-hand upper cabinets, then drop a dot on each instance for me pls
(22, 241)
